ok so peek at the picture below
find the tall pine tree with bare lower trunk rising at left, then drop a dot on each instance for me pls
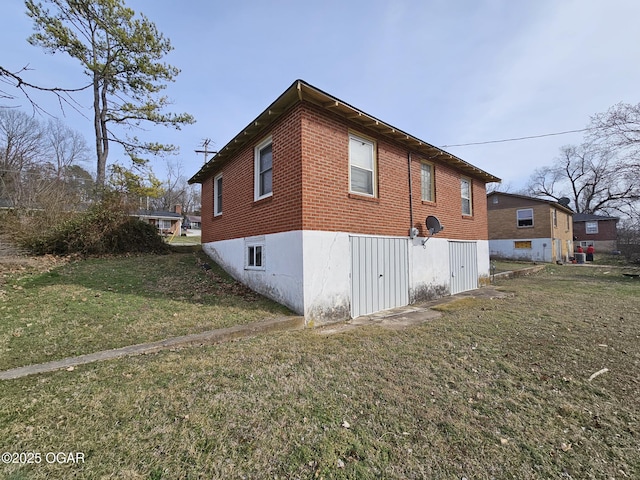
(122, 55)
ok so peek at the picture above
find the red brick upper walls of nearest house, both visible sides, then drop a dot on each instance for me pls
(311, 146)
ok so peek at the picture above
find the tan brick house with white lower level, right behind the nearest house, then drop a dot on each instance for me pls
(527, 228)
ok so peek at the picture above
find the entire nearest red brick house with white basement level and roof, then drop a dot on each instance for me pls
(322, 208)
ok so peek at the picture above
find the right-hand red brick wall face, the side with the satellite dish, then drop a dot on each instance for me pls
(327, 204)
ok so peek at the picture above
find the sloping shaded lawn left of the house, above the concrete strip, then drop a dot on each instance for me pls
(98, 304)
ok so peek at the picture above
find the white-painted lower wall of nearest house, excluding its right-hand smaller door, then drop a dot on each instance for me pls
(313, 272)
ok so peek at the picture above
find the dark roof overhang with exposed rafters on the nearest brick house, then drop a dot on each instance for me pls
(301, 91)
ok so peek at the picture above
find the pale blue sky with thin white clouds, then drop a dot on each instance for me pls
(448, 72)
